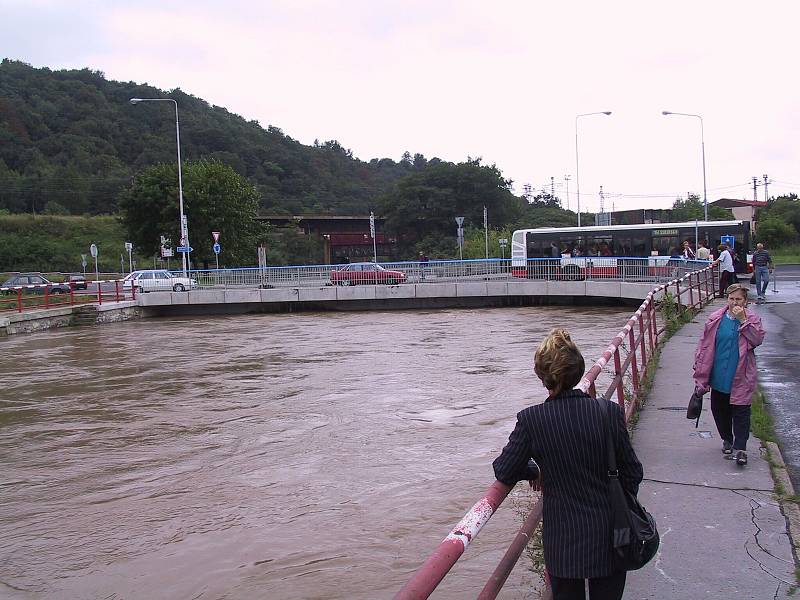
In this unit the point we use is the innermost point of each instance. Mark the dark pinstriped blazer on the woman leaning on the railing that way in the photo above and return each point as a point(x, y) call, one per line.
point(566, 436)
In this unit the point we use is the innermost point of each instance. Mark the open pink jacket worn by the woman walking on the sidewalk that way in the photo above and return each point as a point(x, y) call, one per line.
point(751, 334)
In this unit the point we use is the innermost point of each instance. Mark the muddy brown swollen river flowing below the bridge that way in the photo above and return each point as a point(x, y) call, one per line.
point(291, 456)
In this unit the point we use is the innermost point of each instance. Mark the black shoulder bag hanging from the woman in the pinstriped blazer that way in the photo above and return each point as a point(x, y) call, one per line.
point(634, 536)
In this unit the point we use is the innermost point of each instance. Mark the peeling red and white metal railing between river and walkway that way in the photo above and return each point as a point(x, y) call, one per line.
point(698, 287)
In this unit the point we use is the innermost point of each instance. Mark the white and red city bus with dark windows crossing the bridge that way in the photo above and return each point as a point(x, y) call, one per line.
point(574, 253)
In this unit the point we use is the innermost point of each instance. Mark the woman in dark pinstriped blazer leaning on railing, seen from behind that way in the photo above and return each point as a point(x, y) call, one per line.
point(566, 436)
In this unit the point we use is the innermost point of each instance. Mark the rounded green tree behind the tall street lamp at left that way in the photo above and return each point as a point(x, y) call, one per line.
point(215, 198)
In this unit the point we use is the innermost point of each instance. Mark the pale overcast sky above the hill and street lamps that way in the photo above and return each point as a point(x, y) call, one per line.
point(500, 80)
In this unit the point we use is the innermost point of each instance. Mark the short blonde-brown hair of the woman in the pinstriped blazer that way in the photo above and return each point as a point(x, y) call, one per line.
point(558, 362)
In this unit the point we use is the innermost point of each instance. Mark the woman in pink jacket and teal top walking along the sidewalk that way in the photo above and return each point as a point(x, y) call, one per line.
point(725, 363)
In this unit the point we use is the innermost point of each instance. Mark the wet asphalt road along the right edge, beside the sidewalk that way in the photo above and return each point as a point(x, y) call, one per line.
point(777, 362)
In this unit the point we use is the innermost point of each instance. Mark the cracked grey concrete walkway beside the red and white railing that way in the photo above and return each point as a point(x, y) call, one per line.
point(723, 533)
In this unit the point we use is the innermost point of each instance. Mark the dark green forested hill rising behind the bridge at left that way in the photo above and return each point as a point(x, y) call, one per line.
point(72, 140)
